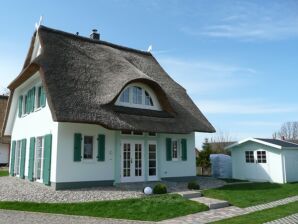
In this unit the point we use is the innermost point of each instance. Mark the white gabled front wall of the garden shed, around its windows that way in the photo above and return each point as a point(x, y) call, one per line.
point(271, 171)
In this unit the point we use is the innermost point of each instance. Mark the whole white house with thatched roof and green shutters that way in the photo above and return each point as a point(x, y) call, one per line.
point(98, 125)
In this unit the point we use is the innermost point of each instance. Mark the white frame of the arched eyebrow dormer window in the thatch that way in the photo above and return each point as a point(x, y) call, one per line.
point(156, 105)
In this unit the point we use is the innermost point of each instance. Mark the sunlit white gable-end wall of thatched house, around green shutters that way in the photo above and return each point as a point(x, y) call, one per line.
point(37, 123)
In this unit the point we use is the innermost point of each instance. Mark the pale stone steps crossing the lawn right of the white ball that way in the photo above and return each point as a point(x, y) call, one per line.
point(210, 202)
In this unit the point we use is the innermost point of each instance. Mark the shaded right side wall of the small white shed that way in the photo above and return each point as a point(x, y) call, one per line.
point(291, 164)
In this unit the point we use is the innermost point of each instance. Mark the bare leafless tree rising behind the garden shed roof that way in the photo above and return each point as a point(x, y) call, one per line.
point(288, 130)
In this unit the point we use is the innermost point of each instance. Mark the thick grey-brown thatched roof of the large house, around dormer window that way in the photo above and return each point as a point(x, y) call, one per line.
point(83, 78)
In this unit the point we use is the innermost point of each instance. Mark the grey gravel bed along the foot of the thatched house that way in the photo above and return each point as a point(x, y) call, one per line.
point(15, 189)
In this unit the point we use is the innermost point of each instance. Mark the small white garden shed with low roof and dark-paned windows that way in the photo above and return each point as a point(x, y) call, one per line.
point(259, 159)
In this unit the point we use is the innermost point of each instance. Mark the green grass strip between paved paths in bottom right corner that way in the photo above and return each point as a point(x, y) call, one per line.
point(263, 216)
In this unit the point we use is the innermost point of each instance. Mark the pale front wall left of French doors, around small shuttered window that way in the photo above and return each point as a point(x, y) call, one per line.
point(70, 171)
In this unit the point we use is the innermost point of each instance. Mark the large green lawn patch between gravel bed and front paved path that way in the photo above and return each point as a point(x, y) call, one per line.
point(153, 208)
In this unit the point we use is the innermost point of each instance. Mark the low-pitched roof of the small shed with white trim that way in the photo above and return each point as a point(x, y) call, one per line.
point(276, 143)
